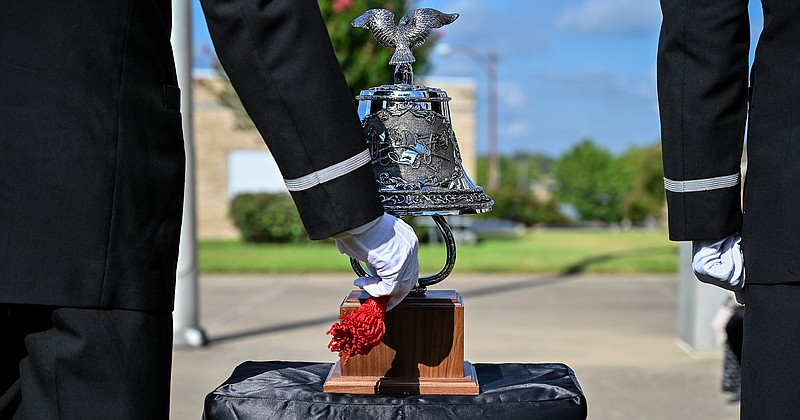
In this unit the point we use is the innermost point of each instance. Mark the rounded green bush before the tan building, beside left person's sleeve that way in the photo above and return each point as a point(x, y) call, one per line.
point(267, 217)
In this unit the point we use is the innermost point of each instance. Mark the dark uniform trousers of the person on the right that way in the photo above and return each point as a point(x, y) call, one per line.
point(771, 352)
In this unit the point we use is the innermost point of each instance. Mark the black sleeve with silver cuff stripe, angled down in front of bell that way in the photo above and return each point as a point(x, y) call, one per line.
point(280, 60)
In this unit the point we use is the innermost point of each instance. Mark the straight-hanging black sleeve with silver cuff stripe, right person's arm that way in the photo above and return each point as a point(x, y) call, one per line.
point(702, 93)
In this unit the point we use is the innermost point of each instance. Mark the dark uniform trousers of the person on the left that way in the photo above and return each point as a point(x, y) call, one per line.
point(71, 363)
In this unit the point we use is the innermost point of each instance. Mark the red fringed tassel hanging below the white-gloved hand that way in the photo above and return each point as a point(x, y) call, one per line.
point(360, 331)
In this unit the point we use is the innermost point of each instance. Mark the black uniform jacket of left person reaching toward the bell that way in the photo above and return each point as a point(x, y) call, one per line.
point(91, 150)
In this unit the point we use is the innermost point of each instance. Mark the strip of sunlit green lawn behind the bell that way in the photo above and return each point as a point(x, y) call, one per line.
point(547, 251)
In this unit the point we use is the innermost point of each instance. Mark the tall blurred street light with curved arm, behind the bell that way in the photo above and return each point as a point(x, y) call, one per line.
point(489, 62)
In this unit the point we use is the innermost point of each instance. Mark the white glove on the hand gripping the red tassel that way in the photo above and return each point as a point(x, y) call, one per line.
point(389, 248)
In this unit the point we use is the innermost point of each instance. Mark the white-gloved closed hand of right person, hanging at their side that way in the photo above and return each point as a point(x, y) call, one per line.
point(720, 263)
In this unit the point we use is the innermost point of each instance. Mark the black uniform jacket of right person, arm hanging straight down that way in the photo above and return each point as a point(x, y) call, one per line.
point(703, 98)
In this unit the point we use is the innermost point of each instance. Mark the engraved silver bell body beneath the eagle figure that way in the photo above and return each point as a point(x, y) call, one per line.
point(414, 152)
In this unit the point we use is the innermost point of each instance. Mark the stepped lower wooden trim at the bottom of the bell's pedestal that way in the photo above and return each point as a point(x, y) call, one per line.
point(380, 385)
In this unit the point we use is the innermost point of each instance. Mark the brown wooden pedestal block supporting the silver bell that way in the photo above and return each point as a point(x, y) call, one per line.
point(421, 353)
